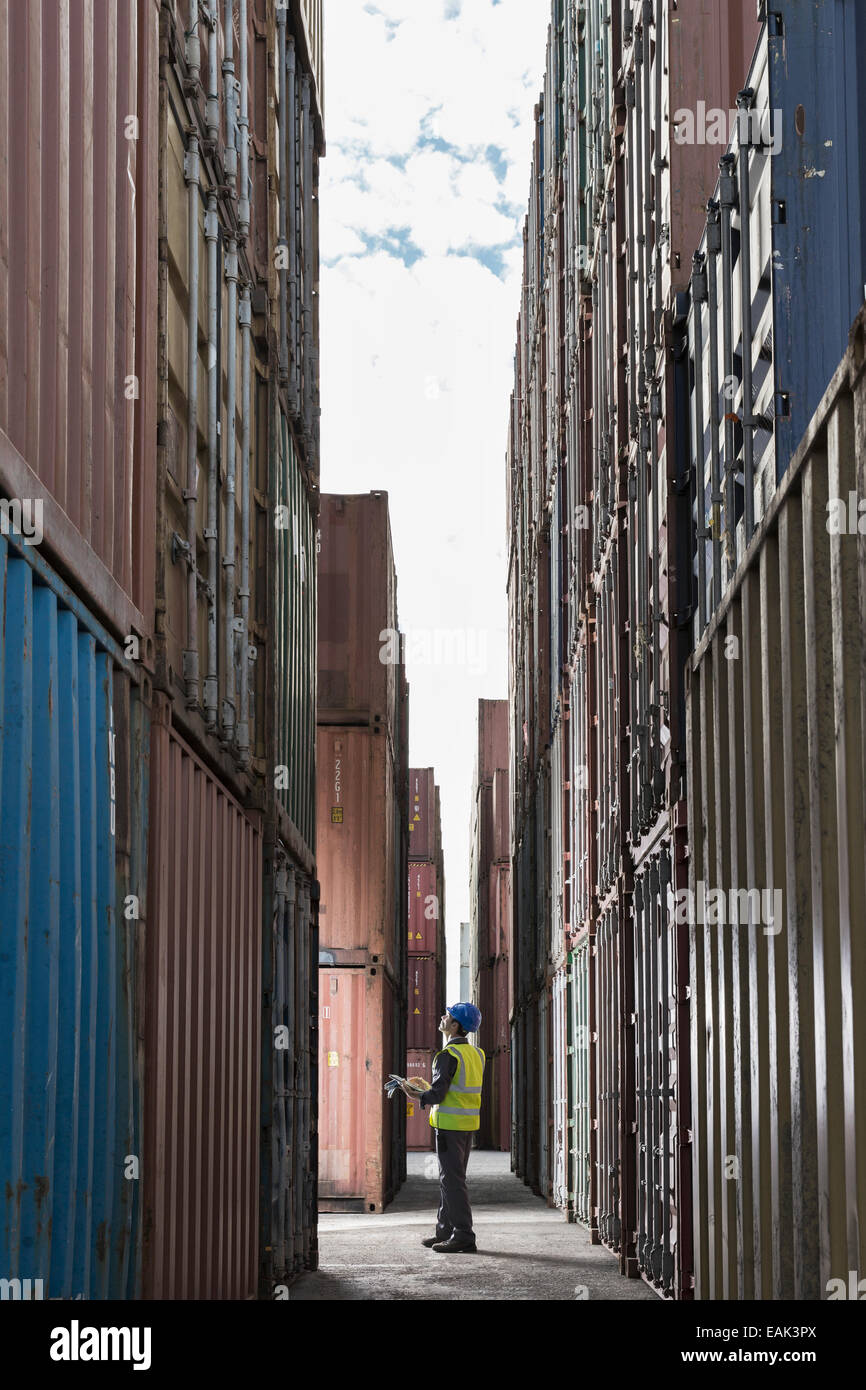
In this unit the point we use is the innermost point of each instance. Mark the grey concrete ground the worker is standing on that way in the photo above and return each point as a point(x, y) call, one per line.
point(526, 1250)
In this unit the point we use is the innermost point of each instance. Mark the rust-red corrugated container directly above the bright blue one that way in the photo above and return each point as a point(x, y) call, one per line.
point(79, 286)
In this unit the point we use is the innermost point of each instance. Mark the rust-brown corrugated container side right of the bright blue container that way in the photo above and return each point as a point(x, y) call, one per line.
point(202, 1032)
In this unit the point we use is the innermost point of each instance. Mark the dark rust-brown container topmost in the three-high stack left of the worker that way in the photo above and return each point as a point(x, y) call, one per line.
point(359, 643)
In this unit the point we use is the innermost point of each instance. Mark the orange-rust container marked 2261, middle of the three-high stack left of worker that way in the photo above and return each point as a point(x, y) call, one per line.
point(357, 844)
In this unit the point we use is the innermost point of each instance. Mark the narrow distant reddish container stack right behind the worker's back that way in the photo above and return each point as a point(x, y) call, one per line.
point(490, 970)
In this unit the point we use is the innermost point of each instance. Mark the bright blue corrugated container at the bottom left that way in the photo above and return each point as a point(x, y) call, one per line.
point(73, 783)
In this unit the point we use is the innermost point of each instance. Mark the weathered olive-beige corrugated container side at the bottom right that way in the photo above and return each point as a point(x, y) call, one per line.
point(776, 826)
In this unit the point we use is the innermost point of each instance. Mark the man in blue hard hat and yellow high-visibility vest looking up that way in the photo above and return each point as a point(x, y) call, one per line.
point(455, 1096)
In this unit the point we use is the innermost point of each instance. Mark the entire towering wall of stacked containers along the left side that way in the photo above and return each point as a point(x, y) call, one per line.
point(142, 408)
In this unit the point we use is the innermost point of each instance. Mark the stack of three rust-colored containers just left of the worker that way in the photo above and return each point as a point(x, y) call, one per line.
point(363, 842)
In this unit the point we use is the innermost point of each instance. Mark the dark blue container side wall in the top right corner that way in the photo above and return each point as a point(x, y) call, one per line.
point(818, 59)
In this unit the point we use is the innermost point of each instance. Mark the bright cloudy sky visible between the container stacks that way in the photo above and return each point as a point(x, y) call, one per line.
point(429, 123)
